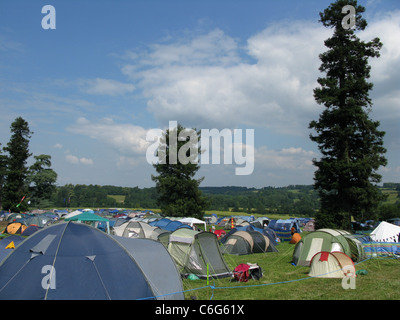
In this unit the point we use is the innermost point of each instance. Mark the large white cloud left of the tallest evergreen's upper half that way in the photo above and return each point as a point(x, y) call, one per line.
point(211, 87)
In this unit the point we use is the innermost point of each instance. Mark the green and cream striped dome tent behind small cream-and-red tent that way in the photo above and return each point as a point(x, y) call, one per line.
point(327, 240)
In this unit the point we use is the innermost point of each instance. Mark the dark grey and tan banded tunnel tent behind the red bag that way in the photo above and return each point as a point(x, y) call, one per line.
point(240, 242)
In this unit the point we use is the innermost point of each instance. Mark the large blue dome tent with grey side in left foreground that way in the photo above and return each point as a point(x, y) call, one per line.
point(76, 261)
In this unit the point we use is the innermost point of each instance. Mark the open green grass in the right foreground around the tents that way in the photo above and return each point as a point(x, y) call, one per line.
point(283, 281)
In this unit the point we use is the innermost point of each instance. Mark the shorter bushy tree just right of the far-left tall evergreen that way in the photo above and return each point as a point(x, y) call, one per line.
point(42, 179)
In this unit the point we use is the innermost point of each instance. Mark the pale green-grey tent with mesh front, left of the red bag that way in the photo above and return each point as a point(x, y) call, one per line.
point(193, 251)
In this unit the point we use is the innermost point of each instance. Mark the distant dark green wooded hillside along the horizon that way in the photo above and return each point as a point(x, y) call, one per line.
point(295, 200)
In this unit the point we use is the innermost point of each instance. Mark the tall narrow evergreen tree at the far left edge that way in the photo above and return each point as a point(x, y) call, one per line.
point(15, 187)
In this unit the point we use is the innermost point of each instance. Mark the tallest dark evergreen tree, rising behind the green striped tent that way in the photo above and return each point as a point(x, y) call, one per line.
point(350, 142)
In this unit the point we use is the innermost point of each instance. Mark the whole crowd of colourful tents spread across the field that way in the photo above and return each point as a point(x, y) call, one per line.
point(146, 256)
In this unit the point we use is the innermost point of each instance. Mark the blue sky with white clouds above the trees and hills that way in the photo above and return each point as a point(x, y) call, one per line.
point(112, 71)
